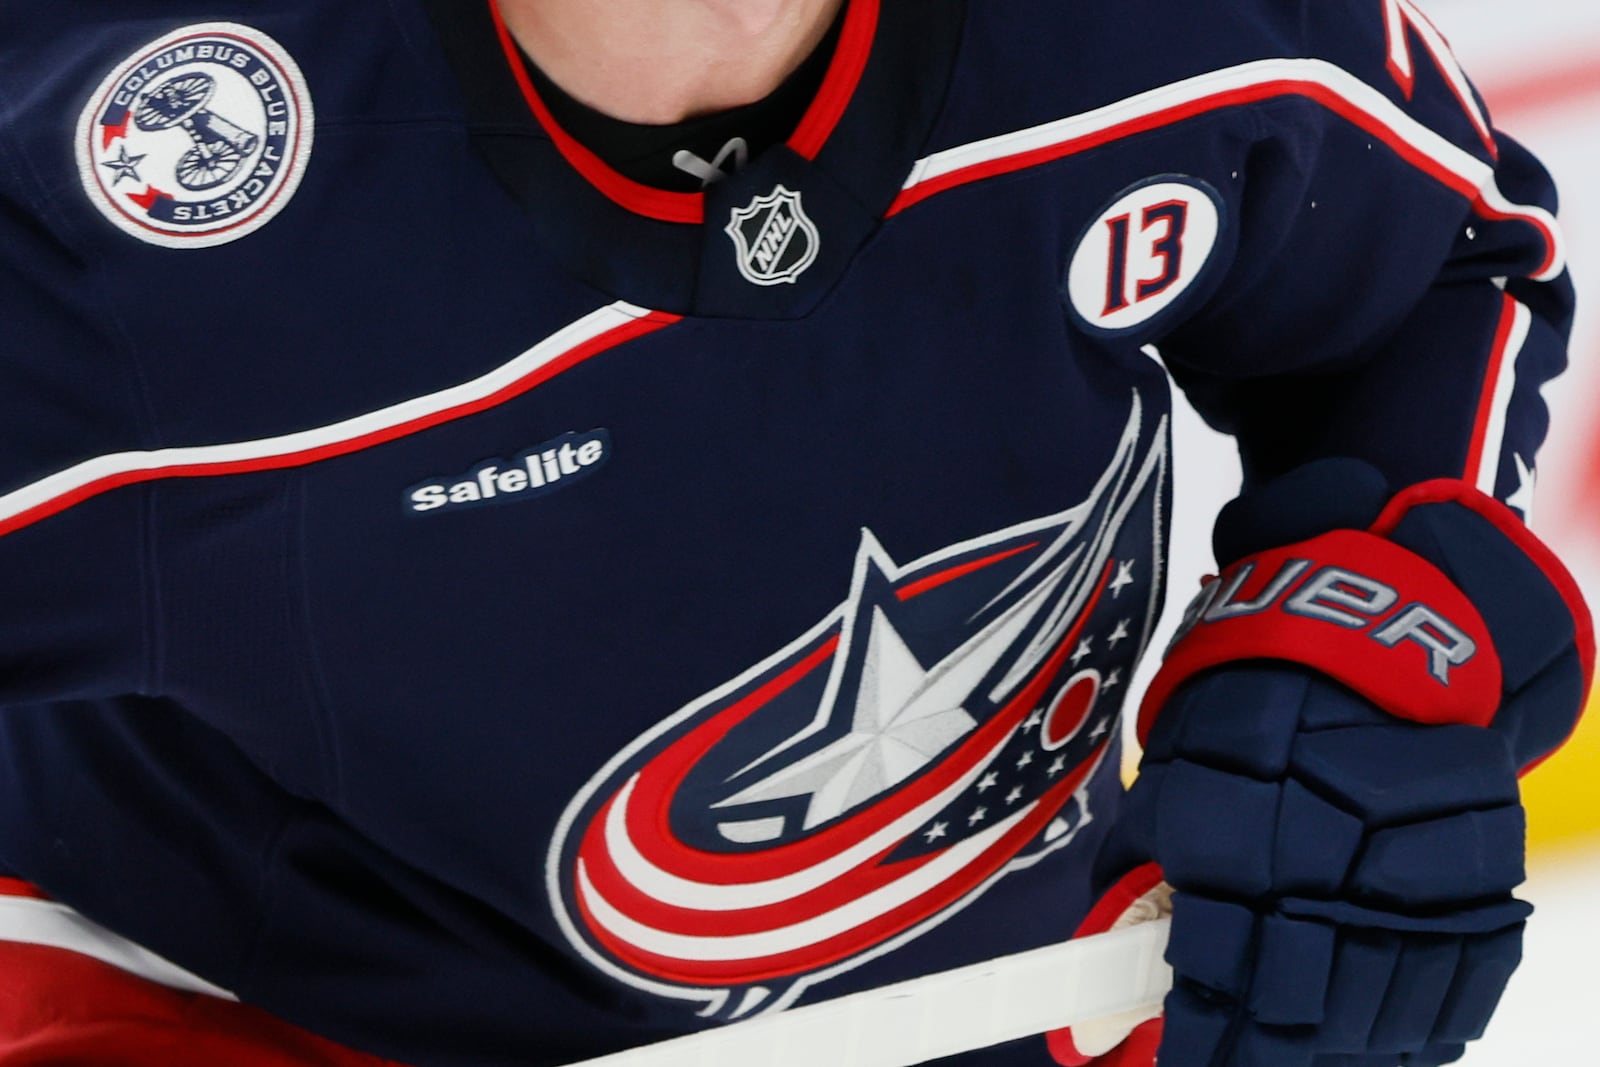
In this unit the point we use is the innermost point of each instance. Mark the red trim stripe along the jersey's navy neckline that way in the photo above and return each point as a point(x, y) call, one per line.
point(839, 87)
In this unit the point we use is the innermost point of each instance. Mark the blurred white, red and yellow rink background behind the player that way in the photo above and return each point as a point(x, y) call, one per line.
point(1538, 66)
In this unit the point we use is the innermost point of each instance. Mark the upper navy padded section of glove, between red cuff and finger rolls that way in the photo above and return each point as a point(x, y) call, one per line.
point(1327, 799)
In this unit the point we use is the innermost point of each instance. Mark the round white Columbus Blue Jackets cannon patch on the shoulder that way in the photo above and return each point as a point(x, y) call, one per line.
point(198, 138)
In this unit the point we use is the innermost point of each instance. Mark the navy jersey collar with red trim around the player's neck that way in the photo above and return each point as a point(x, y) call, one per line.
point(854, 150)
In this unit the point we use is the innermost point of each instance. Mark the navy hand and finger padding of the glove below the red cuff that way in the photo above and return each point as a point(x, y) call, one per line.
point(1345, 885)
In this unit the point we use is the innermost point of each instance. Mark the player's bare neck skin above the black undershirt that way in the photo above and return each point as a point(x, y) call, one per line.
point(663, 62)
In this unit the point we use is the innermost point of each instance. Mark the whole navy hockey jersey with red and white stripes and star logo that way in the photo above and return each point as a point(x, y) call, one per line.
point(490, 612)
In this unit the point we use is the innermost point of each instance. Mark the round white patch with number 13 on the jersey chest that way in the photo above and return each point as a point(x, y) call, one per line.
point(1143, 252)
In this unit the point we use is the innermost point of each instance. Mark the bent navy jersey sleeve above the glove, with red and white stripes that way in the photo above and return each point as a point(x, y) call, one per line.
point(1399, 290)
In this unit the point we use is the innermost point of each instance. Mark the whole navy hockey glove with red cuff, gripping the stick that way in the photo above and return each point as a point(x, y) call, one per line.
point(1330, 773)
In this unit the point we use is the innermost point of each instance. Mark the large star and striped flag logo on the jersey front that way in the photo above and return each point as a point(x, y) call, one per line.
point(852, 791)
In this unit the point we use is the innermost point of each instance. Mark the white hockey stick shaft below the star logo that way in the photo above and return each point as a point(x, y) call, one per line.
point(940, 1015)
